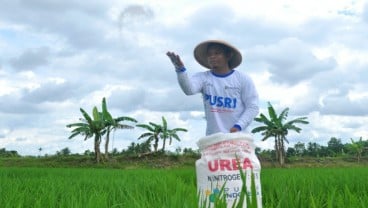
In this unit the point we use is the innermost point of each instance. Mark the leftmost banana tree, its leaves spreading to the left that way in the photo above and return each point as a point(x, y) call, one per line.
point(90, 127)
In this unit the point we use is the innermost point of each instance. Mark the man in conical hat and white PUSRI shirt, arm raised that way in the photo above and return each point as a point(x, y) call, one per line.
point(230, 97)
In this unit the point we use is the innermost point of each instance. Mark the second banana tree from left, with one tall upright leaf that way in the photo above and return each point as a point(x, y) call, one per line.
point(113, 124)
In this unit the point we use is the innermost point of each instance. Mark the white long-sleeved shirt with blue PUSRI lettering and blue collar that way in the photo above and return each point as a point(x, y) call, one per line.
point(228, 100)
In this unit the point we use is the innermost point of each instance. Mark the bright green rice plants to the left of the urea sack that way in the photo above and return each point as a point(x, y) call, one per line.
point(61, 187)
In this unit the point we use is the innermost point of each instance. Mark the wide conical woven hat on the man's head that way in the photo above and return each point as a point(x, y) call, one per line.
point(200, 53)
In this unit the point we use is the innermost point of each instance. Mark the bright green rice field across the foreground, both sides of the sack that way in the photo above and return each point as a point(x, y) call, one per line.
point(175, 188)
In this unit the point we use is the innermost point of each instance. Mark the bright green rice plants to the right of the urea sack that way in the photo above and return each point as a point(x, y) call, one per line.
point(316, 187)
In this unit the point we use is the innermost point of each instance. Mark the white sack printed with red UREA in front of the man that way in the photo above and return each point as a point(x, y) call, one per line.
point(218, 165)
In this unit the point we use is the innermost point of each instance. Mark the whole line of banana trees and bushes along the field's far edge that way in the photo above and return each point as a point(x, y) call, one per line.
point(101, 124)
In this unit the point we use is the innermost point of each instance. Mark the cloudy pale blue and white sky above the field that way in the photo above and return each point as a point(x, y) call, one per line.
point(58, 56)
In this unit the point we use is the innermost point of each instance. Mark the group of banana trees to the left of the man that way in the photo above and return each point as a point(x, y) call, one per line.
point(101, 124)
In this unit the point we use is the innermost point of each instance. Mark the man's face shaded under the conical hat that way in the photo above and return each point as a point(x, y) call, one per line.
point(216, 57)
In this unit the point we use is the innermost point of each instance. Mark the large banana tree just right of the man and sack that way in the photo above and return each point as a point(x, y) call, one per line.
point(274, 127)
